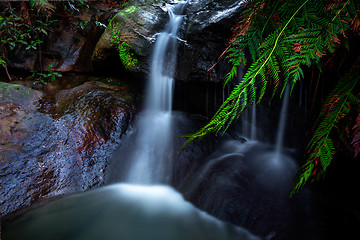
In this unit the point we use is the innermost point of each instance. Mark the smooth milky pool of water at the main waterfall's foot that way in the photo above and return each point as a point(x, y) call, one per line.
point(121, 211)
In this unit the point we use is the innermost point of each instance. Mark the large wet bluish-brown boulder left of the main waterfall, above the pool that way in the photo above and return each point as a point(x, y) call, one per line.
point(56, 144)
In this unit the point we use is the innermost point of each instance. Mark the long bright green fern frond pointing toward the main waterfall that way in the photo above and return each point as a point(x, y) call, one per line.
point(244, 93)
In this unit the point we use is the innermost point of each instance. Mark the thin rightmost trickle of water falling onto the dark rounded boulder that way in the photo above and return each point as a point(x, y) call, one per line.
point(282, 123)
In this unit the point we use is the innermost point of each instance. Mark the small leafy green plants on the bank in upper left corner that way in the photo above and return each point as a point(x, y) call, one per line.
point(25, 24)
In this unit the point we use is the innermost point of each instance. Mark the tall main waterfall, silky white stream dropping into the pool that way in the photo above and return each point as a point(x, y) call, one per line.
point(151, 160)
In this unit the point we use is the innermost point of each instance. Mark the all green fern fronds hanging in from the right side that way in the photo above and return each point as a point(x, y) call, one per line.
point(278, 41)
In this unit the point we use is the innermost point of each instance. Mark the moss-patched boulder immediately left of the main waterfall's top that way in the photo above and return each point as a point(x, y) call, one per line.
point(136, 25)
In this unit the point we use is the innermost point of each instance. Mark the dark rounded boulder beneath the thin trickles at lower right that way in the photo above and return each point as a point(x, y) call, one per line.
point(242, 183)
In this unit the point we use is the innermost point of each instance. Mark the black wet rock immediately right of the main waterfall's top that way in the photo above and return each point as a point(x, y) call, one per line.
point(207, 33)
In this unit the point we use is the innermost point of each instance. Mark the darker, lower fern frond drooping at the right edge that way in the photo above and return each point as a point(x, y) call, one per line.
point(321, 147)
